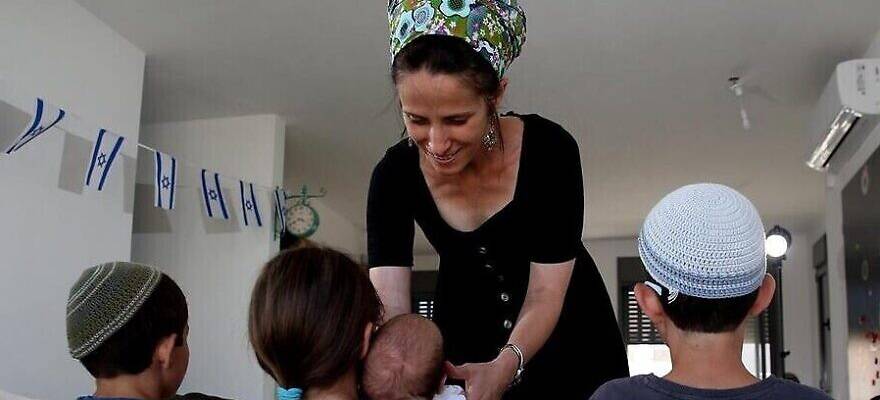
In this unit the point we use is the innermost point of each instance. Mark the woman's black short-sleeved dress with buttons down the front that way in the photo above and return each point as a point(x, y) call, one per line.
point(484, 273)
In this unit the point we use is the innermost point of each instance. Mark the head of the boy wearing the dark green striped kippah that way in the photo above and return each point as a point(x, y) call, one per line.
point(127, 325)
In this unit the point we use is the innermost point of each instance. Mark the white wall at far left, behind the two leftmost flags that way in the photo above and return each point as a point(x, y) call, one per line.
point(51, 231)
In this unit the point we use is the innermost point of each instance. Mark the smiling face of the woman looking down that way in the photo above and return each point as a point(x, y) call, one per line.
point(446, 118)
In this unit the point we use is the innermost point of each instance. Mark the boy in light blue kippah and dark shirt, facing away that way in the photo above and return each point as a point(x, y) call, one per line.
point(703, 248)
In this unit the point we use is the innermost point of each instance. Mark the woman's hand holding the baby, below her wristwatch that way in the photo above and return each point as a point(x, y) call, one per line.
point(486, 381)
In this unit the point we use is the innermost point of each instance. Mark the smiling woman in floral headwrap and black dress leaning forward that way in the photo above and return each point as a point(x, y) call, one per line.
point(500, 199)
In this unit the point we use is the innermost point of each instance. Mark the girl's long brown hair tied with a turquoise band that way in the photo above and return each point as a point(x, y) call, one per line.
point(308, 312)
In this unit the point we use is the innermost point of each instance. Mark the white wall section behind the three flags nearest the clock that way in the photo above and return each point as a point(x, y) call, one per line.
point(214, 261)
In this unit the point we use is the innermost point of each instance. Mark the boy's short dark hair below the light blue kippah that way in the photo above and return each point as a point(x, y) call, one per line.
point(694, 314)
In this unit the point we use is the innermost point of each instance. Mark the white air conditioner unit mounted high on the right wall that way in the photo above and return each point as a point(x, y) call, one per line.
point(849, 106)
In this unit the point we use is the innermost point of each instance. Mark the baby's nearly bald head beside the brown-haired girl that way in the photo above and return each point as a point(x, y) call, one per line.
point(405, 360)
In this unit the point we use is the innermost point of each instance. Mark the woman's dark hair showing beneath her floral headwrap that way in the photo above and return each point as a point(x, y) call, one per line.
point(440, 54)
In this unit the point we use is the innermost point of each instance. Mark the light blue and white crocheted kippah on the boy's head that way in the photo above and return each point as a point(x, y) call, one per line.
point(704, 240)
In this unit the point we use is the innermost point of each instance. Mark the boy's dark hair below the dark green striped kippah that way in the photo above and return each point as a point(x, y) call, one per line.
point(129, 351)
